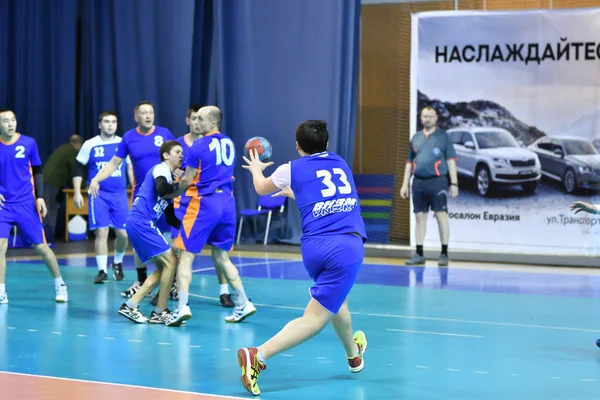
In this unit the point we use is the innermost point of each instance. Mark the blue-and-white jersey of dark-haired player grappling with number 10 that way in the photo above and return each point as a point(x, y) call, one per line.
point(148, 205)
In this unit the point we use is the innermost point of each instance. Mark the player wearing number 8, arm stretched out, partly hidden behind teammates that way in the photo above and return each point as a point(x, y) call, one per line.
point(142, 145)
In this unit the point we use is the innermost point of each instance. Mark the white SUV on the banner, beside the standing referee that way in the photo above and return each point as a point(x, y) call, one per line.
point(494, 158)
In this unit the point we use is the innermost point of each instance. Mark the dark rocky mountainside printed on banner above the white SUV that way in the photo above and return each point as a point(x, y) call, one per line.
point(478, 113)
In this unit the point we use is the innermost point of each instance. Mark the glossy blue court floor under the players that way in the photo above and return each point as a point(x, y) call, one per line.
point(465, 332)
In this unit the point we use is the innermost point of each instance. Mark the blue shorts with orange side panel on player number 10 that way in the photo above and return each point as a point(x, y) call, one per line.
point(208, 220)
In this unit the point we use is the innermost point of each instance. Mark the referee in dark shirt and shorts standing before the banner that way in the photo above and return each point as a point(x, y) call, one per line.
point(431, 158)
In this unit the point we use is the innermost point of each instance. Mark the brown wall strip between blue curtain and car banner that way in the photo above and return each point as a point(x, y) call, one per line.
point(384, 91)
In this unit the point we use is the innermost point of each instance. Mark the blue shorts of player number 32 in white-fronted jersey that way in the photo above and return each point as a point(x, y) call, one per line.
point(108, 210)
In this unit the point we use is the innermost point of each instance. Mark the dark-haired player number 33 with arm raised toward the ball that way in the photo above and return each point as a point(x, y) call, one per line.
point(333, 234)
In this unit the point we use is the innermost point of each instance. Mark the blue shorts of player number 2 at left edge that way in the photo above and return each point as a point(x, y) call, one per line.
point(28, 221)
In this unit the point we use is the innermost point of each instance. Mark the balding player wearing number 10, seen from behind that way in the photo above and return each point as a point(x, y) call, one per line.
point(209, 214)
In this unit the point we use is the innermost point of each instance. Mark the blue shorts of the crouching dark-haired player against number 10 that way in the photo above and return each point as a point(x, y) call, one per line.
point(146, 239)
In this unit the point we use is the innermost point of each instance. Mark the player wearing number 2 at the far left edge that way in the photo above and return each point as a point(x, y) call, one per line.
point(21, 200)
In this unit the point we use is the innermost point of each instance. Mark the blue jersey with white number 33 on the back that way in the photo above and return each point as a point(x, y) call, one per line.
point(326, 195)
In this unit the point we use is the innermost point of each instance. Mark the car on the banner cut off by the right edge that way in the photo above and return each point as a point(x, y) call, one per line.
point(570, 160)
